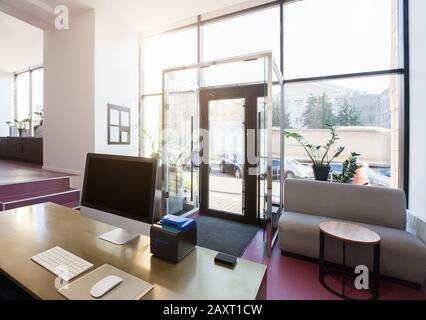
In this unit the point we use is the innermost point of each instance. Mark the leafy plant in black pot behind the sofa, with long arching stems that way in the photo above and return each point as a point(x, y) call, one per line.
point(319, 155)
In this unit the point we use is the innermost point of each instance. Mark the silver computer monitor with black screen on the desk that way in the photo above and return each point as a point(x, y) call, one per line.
point(120, 191)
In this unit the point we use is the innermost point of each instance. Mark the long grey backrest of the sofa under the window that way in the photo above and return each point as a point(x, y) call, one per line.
point(371, 205)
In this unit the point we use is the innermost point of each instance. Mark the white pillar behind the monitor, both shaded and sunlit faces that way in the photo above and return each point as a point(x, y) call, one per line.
point(94, 63)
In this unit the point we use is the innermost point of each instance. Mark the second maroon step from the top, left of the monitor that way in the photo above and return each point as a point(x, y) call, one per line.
point(61, 197)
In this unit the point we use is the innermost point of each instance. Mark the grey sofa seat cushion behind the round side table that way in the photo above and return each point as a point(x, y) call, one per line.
point(403, 256)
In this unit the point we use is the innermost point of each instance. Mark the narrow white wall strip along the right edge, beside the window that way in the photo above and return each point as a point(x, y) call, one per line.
point(417, 107)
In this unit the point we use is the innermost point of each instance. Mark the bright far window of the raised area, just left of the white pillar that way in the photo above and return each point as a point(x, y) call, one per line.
point(29, 96)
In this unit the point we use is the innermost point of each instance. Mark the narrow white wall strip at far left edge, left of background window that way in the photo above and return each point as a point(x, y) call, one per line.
point(6, 101)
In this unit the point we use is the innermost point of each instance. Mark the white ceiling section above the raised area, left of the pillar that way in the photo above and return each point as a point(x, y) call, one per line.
point(21, 44)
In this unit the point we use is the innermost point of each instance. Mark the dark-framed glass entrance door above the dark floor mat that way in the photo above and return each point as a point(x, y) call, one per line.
point(229, 171)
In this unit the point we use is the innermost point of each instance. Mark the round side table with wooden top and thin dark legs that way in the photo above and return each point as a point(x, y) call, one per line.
point(349, 233)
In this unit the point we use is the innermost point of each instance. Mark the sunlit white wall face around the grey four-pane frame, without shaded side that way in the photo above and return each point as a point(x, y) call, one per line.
point(116, 80)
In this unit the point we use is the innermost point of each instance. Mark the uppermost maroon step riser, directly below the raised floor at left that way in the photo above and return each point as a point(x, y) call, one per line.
point(26, 188)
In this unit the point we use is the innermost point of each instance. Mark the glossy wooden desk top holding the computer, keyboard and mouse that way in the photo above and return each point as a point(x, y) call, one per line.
point(28, 231)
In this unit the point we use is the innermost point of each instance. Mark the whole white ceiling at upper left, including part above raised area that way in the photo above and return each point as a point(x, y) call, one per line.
point(21, 41)
